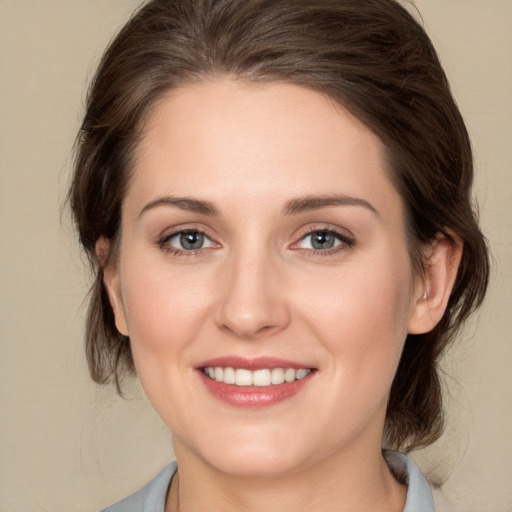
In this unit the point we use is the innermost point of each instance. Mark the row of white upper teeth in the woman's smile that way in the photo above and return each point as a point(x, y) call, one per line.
point(263, 377)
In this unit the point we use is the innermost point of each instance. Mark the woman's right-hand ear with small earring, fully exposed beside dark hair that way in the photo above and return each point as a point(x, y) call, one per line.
point(431, 294)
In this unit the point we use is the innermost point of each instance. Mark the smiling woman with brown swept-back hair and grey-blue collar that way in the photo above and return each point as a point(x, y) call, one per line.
point(276, 199)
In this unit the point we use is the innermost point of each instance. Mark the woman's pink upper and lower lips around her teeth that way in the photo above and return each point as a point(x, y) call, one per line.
point(253, 396)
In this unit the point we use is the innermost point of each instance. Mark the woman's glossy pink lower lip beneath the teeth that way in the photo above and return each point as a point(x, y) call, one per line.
point(254, 396)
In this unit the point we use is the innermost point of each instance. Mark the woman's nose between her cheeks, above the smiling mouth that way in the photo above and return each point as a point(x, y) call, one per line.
point(253, 300)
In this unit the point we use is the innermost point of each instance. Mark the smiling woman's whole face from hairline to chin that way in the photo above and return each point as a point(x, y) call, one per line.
point(262, 242)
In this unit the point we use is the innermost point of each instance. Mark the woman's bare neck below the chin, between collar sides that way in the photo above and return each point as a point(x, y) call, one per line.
point(344, 482)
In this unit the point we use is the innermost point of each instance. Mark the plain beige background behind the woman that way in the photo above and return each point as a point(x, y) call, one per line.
point(67, 446)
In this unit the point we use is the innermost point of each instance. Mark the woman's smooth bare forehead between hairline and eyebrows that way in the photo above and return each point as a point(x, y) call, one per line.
point(227, 138)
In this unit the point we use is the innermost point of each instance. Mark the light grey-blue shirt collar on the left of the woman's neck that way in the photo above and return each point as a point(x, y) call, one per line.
point(151, 498)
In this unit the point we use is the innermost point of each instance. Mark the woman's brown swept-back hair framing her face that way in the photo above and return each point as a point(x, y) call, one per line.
point(374, 59)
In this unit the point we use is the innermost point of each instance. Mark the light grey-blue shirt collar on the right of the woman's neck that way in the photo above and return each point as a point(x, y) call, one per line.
point(419, 496)
